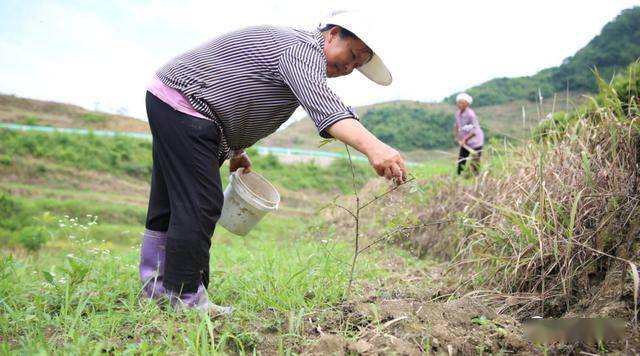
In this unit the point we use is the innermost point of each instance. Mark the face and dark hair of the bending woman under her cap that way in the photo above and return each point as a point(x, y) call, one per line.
point(343, 54)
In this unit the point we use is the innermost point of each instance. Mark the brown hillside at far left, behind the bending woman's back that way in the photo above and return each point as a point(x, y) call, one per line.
point(24, 111)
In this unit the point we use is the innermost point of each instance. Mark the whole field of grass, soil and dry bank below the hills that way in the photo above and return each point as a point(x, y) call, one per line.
point(445, 264)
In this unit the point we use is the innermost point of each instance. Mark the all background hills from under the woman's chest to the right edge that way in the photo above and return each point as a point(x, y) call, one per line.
point(506, 107)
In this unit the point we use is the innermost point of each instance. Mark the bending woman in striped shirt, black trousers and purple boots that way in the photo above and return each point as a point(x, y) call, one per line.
point(214, 101)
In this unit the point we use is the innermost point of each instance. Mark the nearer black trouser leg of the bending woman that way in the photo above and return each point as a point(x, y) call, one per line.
point(187, 150)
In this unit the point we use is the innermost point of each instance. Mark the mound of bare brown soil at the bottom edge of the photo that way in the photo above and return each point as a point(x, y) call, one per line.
point(412, 327)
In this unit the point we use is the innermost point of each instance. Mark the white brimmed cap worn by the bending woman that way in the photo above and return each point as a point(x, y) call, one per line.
point(355, 22)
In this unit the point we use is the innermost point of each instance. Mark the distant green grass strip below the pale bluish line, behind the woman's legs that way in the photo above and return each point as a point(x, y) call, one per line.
point(132, 158)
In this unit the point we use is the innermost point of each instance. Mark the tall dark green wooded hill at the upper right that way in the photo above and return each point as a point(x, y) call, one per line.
point(611, 51)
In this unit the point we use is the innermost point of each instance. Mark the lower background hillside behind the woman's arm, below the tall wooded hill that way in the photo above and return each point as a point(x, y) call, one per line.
point(504, 120)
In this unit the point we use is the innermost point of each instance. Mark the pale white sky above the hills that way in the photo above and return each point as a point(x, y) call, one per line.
point(102, 54)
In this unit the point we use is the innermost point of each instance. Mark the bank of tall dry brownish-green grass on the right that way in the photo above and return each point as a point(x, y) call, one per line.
point(556, 230)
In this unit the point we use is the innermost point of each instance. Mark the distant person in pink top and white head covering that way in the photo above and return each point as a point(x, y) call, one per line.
point(467, 134)
